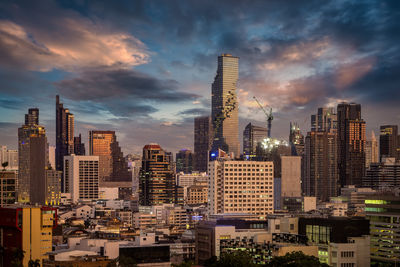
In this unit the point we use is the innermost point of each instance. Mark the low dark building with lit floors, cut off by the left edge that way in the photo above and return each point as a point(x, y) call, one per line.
point(8, 187)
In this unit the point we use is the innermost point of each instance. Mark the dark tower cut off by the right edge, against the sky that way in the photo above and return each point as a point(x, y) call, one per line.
point(388, 141)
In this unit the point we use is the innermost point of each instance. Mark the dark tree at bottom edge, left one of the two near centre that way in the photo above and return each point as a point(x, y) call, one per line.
point(233, 259)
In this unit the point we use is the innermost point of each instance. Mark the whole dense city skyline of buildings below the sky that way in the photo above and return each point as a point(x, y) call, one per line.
point(331, 194)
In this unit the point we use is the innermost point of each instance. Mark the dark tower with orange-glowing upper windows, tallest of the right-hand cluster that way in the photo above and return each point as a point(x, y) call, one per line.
point(351, 144)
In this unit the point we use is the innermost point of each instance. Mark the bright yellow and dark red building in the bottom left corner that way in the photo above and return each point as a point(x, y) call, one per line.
point(28, 229)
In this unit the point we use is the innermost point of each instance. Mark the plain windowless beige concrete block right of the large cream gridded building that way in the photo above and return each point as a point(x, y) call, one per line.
point(291, 176)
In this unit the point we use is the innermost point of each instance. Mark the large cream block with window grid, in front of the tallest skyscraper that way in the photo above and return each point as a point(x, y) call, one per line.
point(241, 187)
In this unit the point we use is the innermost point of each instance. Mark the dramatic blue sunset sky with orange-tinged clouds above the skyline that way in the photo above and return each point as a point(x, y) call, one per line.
point(145, 68)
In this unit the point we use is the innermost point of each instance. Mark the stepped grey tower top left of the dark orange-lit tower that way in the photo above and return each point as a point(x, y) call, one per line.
point(324, 121)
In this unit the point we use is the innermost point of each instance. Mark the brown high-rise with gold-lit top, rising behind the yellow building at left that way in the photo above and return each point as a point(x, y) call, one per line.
point(33, 162)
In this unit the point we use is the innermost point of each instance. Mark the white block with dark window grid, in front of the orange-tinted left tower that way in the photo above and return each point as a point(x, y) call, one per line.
point(81, 177)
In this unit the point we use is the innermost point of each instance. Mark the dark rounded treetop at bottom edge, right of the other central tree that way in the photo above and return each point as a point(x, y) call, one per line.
point(294, 259)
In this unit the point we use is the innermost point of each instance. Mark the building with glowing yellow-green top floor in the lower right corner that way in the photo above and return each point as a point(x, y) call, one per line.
point(383, 211)
